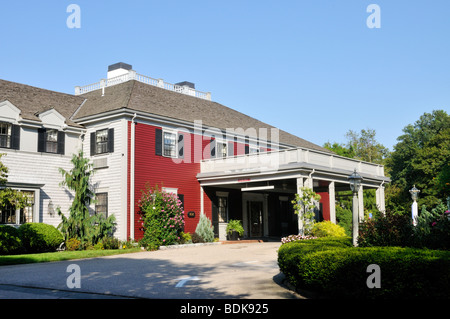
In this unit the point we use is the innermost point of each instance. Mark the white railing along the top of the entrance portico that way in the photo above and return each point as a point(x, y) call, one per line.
point(275, 160)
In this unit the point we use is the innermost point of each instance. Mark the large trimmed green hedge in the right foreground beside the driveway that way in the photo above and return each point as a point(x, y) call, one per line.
point(333, 268)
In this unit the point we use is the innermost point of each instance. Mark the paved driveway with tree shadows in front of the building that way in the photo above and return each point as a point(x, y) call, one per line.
point(212, 271)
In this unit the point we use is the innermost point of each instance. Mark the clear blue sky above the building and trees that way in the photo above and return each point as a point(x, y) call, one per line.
point(312, 68)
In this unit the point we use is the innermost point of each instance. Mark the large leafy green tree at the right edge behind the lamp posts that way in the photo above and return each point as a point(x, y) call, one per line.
point(421, 158)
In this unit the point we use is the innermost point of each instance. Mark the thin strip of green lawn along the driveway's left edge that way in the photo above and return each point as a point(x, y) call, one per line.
point(62, 255)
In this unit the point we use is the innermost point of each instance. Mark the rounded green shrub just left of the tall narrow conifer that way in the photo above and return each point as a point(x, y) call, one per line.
point(39, 237)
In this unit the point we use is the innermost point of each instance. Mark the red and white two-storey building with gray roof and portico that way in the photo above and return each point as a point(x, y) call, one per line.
point(140, 131)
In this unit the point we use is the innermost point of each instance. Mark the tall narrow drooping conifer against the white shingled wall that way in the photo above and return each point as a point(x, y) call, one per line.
point(80, 224)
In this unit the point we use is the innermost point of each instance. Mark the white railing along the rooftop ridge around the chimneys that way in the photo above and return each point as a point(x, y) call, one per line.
point(132, 75)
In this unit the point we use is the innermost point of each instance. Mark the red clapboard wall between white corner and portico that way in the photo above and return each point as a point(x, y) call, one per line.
point(152, 170)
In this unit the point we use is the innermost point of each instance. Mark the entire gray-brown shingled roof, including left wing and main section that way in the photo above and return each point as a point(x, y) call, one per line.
point(137, 96)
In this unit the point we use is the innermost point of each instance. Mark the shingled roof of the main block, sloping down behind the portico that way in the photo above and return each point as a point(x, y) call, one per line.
point(138, 96)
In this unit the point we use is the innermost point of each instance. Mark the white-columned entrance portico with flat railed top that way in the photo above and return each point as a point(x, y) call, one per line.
point(259, 188)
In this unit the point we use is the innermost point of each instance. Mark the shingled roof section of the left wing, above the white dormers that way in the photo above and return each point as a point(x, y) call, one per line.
point(32, 101)
